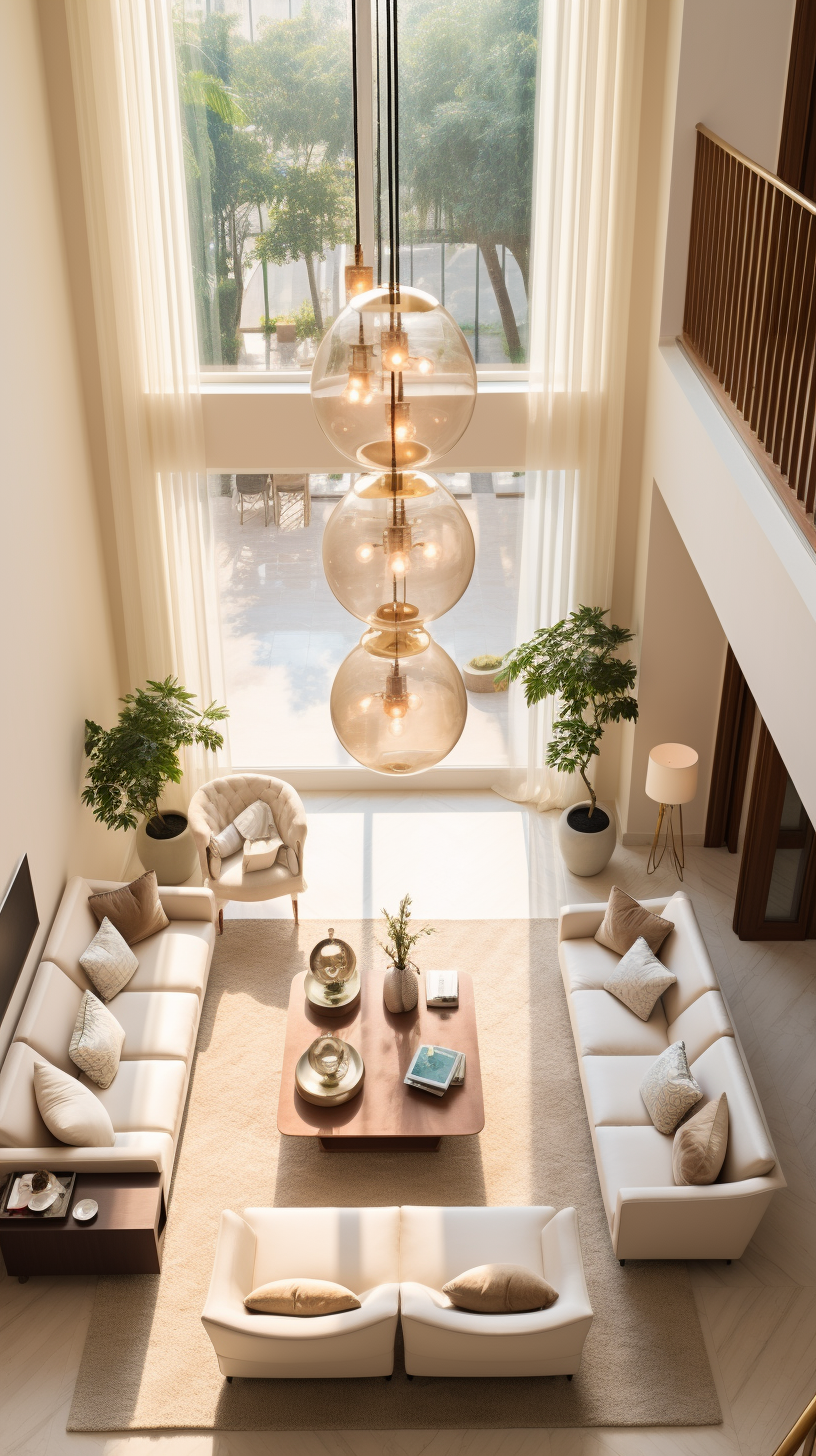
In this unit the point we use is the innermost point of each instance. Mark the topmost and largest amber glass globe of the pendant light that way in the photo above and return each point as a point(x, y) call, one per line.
point(419, 382)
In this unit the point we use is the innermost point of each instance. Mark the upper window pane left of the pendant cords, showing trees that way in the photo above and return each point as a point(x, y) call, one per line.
point(266, 101)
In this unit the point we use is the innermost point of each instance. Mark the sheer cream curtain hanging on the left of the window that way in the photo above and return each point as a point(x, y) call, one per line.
point(123, 69)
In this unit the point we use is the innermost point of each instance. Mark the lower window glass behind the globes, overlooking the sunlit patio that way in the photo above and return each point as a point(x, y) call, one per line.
point(285, 636)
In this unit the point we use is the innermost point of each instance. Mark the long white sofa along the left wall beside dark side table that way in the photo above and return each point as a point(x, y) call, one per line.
point(160, 1010)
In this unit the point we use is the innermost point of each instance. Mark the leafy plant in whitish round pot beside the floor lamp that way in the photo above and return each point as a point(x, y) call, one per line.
point(578, 662)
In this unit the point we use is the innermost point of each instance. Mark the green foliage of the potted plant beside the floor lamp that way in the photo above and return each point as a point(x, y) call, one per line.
point(576, 660)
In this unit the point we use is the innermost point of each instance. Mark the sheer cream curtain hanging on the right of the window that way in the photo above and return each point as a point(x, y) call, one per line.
point(582, 248)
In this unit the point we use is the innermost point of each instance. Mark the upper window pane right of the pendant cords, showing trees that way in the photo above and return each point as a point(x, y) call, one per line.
point(467, 103)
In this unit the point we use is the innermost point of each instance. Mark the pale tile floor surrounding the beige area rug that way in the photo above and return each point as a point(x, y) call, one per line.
point(466, 855)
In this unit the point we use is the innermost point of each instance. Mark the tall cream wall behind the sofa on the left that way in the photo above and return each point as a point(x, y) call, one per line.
point(58, 662)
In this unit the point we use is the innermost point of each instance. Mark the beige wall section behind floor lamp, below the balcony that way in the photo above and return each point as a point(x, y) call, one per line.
point(681, 673)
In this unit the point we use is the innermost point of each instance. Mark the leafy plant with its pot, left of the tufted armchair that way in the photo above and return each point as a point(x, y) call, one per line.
point(132, 764)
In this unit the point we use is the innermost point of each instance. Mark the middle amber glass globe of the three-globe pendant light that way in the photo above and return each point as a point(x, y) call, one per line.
point(399, 542)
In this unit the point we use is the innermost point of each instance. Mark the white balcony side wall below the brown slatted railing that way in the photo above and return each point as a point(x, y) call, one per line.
point(753, 561)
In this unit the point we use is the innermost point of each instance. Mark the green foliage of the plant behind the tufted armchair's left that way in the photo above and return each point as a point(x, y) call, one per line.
point(130, 764)
